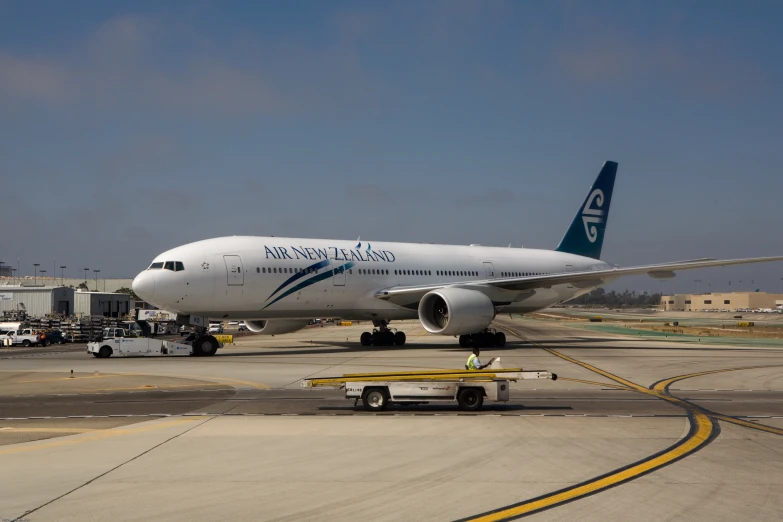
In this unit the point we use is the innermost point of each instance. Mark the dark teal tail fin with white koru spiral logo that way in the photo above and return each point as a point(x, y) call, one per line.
point(585, 236)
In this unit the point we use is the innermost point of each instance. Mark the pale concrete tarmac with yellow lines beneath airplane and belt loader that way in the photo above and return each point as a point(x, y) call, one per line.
point(634, 429)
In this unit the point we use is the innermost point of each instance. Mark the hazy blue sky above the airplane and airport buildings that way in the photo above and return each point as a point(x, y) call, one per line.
point(129, 128)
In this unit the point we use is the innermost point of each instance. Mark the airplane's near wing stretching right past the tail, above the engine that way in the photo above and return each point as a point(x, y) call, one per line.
point(406, 295)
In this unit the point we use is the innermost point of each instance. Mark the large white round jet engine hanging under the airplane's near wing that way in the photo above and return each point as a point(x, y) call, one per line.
point(455, 311)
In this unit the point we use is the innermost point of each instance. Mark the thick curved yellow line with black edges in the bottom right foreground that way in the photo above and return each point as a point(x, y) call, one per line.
point(704, 429)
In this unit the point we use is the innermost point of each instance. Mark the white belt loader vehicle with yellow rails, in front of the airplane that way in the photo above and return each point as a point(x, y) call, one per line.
point(469, 388)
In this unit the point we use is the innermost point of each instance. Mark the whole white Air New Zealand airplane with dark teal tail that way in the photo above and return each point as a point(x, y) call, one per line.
point(277, 284)
